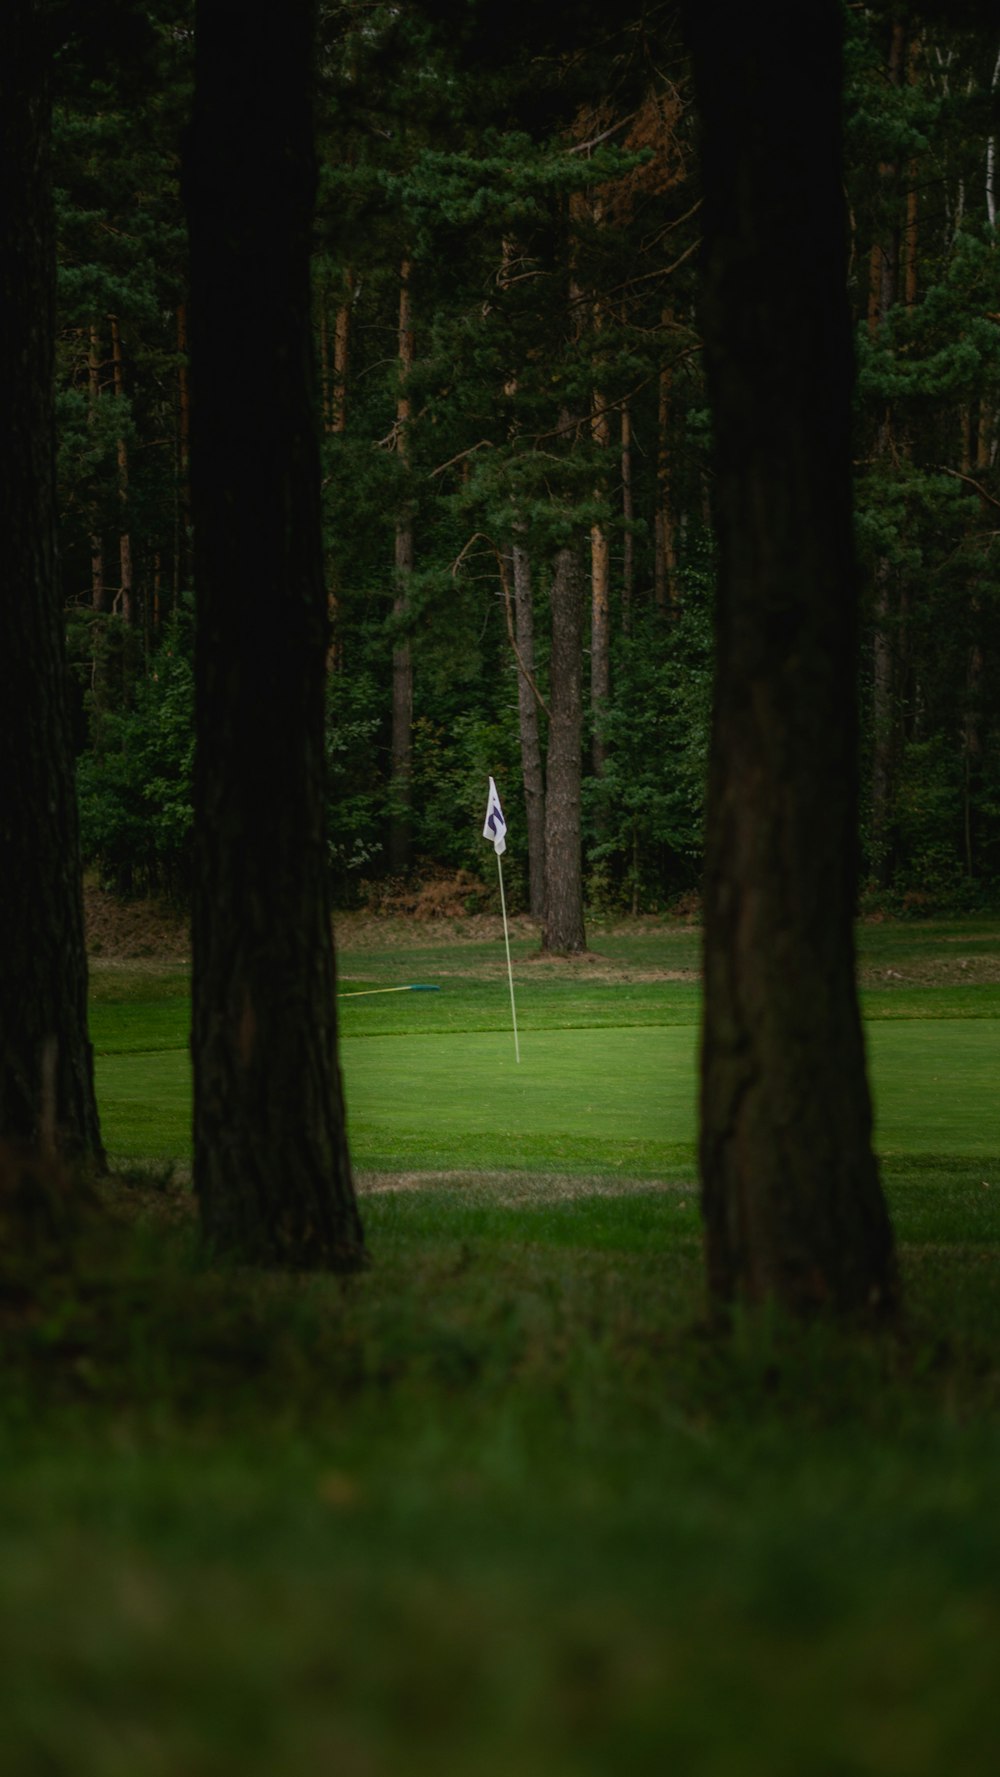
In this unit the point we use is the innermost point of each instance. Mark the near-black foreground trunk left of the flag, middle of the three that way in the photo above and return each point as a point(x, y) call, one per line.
point(273, 1168)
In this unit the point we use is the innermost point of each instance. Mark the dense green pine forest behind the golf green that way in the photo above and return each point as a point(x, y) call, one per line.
point(511, 392)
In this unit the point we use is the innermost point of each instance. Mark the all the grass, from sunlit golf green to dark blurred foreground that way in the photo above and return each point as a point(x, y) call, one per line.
point(500, 1506)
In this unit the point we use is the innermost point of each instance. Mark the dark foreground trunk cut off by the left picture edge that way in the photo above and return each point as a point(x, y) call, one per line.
point(44, 960)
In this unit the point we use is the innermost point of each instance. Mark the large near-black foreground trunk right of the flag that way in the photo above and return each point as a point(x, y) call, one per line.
point(790, 1188)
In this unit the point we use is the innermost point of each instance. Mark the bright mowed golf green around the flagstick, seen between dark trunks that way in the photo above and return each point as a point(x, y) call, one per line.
point(433, 1081)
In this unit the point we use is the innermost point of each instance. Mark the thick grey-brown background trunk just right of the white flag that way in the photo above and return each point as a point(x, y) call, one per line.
point(562, 928)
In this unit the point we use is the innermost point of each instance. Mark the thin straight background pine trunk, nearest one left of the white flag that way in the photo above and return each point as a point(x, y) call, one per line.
point(401, 825)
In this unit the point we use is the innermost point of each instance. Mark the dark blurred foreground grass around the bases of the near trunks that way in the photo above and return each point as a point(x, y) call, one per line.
point(498, 1504)
